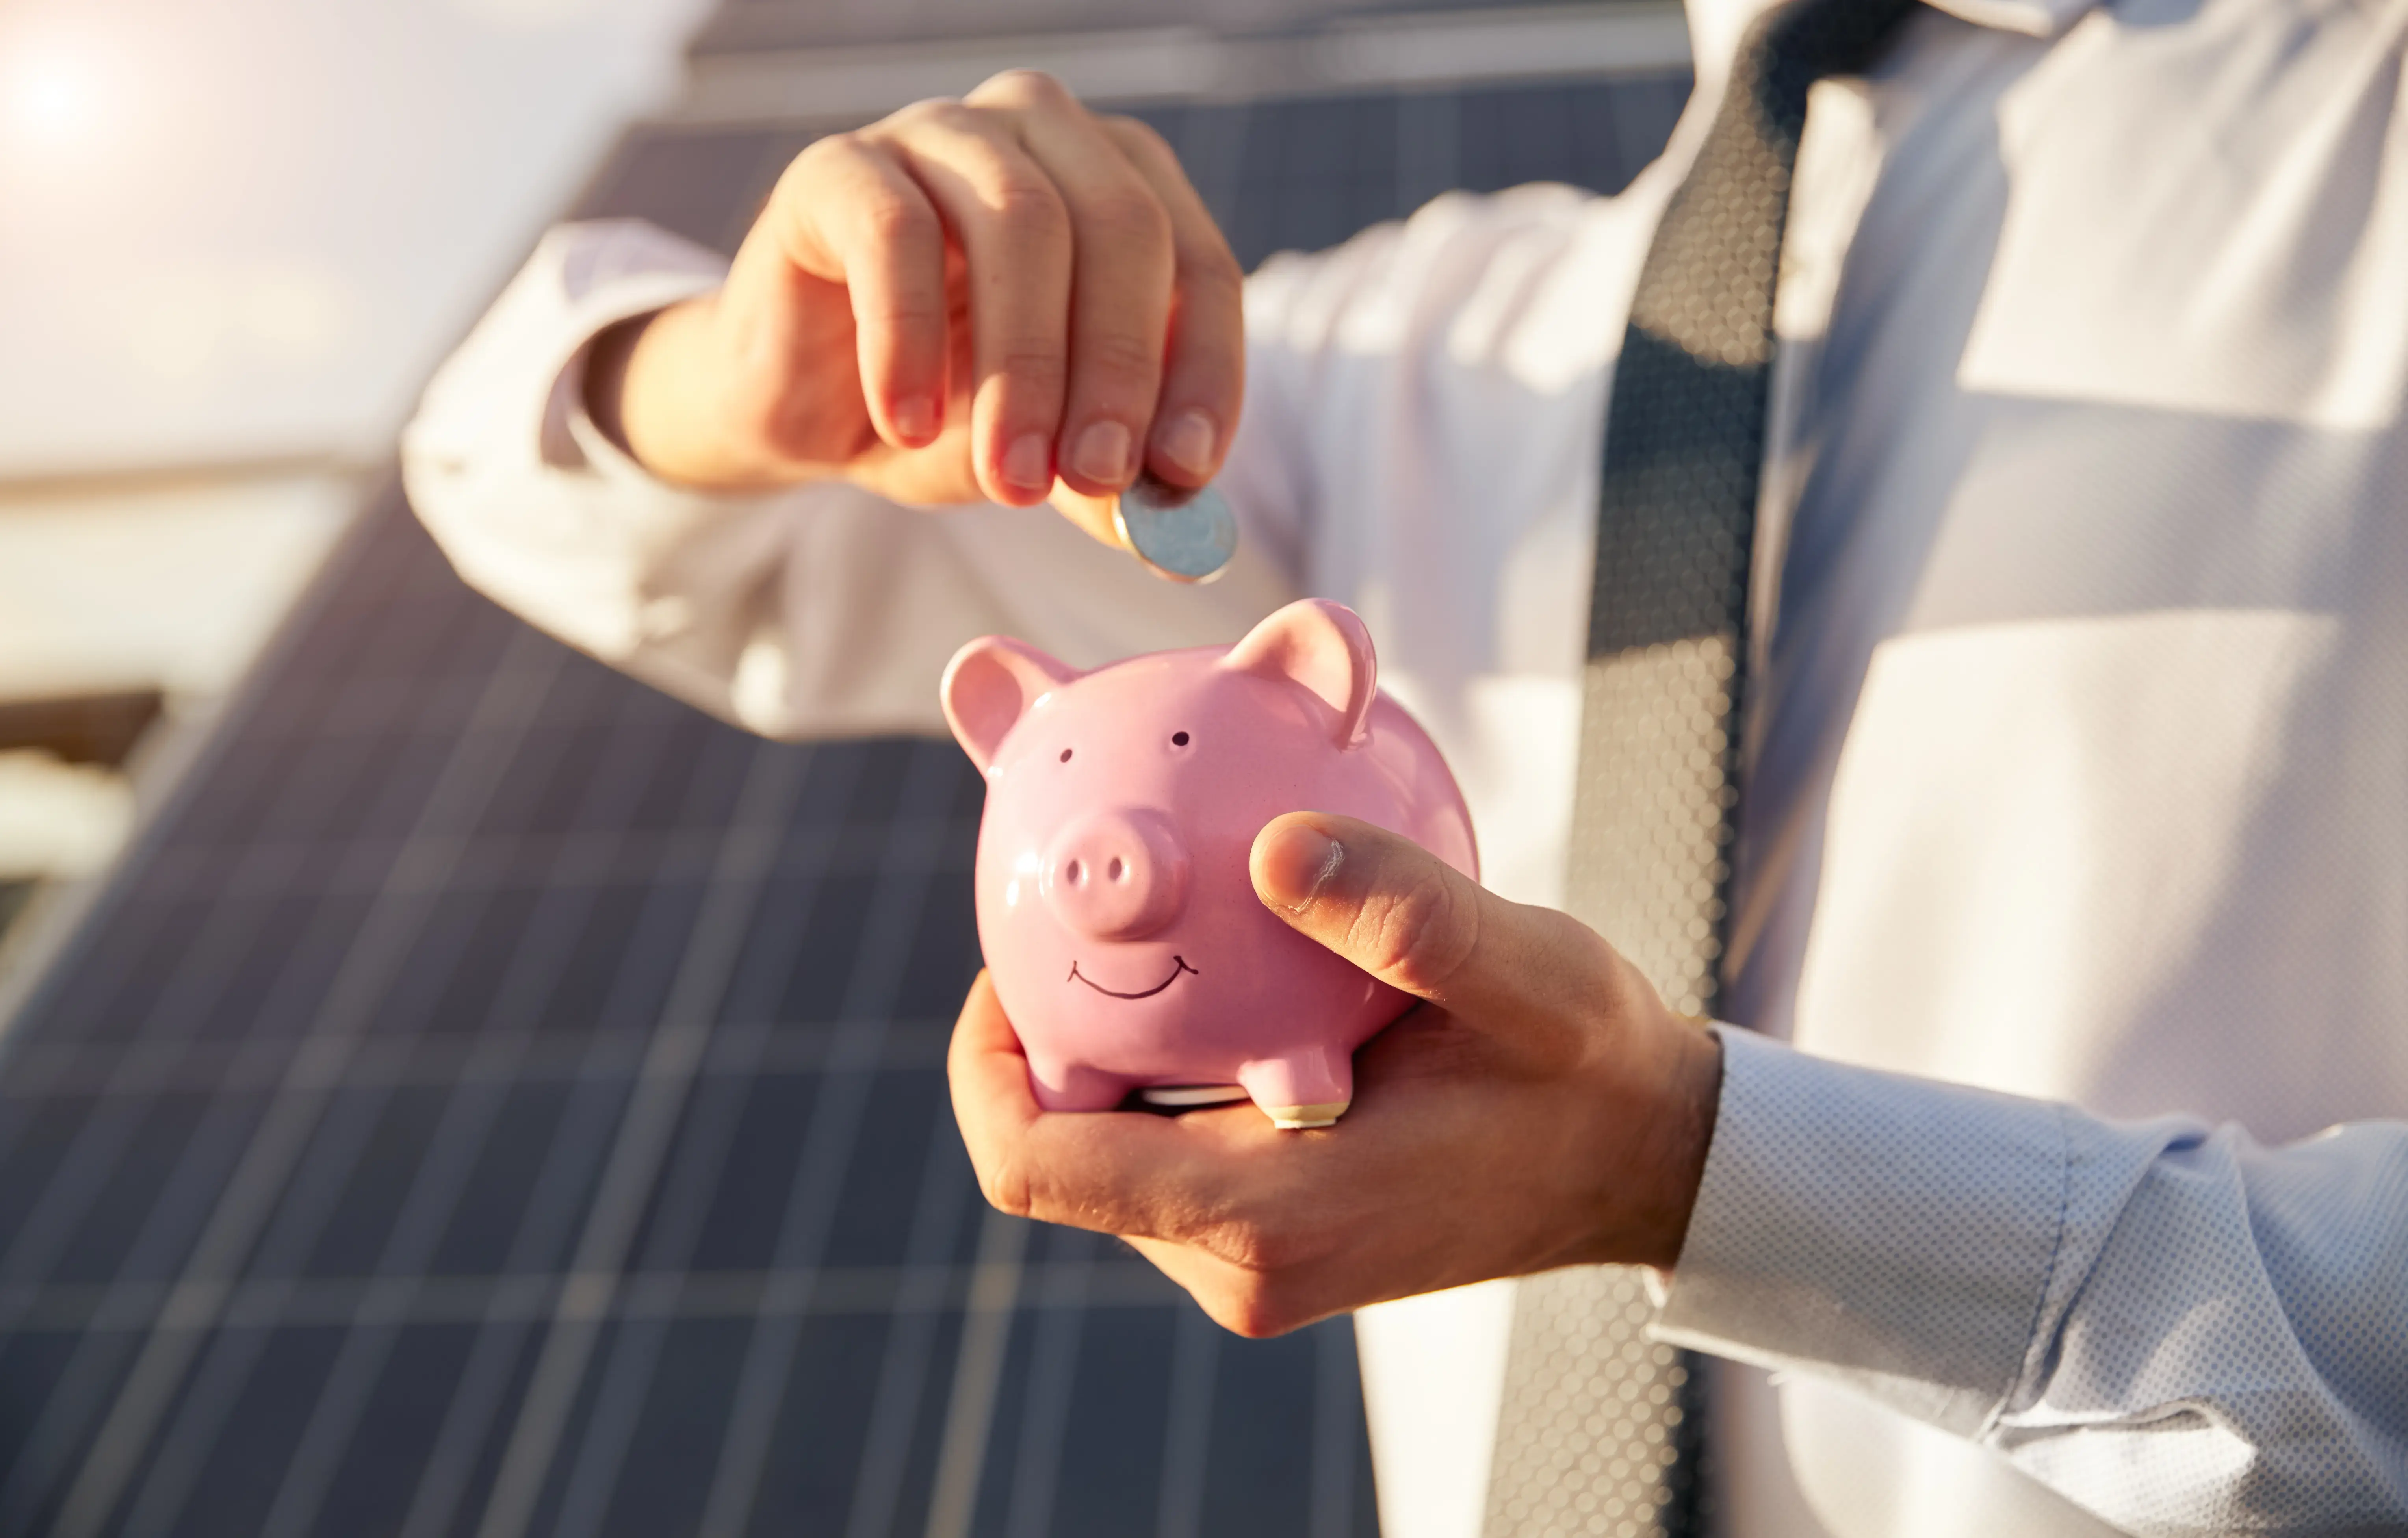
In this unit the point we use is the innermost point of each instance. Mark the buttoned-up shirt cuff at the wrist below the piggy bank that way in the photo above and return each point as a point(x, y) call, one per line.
point(1884, 1231)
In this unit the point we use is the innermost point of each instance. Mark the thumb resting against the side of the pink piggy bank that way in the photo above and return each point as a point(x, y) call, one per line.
point(1395, 911)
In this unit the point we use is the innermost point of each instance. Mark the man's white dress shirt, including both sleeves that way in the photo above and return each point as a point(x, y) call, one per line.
point(2077, 747)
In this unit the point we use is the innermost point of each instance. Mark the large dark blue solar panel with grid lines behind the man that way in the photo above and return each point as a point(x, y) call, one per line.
point(497, 1101)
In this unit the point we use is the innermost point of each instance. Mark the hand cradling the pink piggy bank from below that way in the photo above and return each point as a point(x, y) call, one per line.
point(1540, 1108)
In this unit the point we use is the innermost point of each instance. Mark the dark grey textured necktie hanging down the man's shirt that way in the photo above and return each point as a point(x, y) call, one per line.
point(1600, 1431)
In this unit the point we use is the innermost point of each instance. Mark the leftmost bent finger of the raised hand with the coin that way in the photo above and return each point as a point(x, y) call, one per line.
point(849, 213)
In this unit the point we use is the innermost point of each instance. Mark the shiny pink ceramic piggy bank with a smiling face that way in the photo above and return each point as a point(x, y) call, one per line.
point(1114, 894)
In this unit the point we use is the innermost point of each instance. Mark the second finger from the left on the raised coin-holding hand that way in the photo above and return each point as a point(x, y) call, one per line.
point(1013, 225)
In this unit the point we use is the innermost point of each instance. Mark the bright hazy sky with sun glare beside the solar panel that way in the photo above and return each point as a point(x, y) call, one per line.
point(252, 227)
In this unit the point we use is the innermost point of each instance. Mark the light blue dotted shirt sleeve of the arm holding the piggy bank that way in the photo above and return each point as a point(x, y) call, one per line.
point(2166, 1323)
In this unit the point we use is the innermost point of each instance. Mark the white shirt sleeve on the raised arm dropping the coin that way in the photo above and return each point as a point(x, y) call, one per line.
point(798, 615)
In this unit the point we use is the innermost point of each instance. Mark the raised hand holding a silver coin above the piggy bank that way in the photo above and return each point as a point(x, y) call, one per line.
point(960, 302)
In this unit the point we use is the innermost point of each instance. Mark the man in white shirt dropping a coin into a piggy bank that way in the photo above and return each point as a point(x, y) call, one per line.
point(2074, 752)
